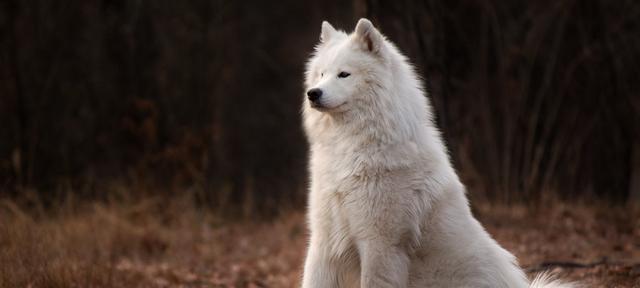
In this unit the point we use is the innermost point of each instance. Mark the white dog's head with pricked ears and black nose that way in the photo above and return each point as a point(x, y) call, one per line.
point(345, 69)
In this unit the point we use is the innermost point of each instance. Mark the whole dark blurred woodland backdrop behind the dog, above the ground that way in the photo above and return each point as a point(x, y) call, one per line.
point(536, 99)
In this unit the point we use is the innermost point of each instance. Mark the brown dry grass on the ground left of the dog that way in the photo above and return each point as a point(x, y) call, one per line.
point(148, 243)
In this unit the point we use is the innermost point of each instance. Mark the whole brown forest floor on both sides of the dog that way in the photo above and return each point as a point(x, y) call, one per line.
point(156, 243)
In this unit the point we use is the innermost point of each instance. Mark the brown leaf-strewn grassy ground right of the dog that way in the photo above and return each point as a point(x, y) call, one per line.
point(604, 240)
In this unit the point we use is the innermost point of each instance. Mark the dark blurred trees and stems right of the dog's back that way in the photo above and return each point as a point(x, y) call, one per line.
point(534, 97)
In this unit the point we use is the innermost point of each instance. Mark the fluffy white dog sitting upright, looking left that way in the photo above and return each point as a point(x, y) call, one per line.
point(386, 208)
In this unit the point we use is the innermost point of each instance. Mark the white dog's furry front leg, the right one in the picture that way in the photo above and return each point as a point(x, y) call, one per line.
point(383, 265)
